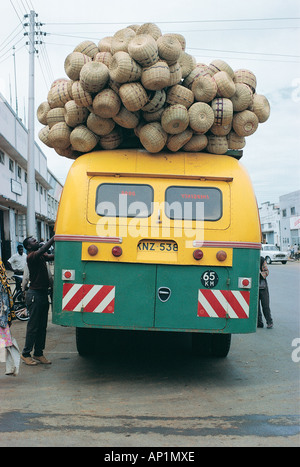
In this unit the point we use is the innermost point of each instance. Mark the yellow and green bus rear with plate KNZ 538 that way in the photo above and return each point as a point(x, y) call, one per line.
point(165, 242)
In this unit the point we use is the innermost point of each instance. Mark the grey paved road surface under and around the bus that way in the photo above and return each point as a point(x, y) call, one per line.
point(150, 391)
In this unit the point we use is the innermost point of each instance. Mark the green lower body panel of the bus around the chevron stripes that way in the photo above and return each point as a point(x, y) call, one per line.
point(137, 305)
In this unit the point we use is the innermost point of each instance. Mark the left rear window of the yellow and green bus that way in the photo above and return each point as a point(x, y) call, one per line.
point(122, 200)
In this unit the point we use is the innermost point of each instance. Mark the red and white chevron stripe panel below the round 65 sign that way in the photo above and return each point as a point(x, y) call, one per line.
point(222, 303)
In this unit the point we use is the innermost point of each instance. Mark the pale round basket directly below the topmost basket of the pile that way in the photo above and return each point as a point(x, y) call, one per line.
point(143, 49)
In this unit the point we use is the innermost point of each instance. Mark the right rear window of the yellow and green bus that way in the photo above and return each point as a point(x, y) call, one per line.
point(193, 203)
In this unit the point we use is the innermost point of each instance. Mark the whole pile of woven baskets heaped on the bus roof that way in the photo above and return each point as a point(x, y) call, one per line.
point(140, 88)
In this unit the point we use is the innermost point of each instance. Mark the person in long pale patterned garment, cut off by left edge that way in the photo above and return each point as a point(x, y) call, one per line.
point(9, 351)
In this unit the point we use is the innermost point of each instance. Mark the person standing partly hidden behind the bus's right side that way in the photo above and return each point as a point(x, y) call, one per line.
point(264, 298)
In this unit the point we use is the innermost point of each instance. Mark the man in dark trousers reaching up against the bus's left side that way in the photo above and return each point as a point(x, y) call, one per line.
point(37, 300)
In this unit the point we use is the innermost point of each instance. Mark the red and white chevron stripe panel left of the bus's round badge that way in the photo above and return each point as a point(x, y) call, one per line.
point(88, 298)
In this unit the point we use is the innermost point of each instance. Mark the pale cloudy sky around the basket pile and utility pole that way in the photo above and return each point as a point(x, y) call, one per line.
point(262, 36)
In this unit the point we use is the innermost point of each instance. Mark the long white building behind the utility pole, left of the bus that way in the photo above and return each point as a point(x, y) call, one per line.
point(13, 185)
